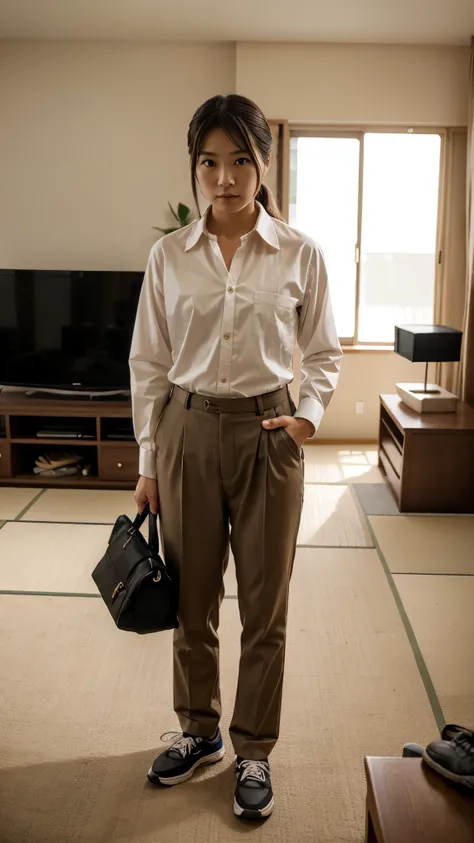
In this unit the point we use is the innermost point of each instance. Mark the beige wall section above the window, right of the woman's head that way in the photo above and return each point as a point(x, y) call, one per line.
point(334, 83)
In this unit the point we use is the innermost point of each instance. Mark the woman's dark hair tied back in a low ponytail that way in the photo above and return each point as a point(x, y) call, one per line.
point(245, 124)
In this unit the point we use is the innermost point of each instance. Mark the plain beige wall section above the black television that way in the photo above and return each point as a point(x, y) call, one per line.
point(93, 144)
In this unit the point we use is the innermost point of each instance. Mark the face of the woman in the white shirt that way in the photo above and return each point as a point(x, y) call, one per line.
point(226, 174)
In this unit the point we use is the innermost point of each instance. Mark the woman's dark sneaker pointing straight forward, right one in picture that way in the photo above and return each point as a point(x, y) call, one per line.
point(253, 794)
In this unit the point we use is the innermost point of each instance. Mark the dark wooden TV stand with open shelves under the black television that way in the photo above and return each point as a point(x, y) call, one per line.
point(114, 461)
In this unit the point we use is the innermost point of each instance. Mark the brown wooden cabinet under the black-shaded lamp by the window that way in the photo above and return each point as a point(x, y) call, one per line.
point(428, 458)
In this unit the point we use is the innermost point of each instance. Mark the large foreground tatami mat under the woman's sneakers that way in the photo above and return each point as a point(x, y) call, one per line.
point(84, 707)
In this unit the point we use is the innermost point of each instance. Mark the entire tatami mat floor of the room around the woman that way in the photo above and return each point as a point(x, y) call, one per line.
point(83, 706)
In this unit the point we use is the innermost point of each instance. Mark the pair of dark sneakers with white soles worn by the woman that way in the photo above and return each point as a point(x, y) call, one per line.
point(253, 797)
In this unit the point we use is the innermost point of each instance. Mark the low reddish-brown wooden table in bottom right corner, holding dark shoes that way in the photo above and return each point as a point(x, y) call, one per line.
point(407, 802)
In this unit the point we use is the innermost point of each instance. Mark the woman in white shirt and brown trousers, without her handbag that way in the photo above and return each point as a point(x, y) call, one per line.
point(223, 302)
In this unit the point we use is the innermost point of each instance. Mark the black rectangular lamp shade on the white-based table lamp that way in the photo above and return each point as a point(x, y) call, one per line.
point(428, 343)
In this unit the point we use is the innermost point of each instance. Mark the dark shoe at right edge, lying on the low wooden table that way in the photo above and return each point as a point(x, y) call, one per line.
point(453, 759)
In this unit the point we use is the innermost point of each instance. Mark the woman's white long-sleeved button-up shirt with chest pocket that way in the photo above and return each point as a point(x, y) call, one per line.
point(231, 333)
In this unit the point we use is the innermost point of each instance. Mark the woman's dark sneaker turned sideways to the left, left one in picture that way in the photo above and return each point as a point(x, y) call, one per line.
point(179, 763)
